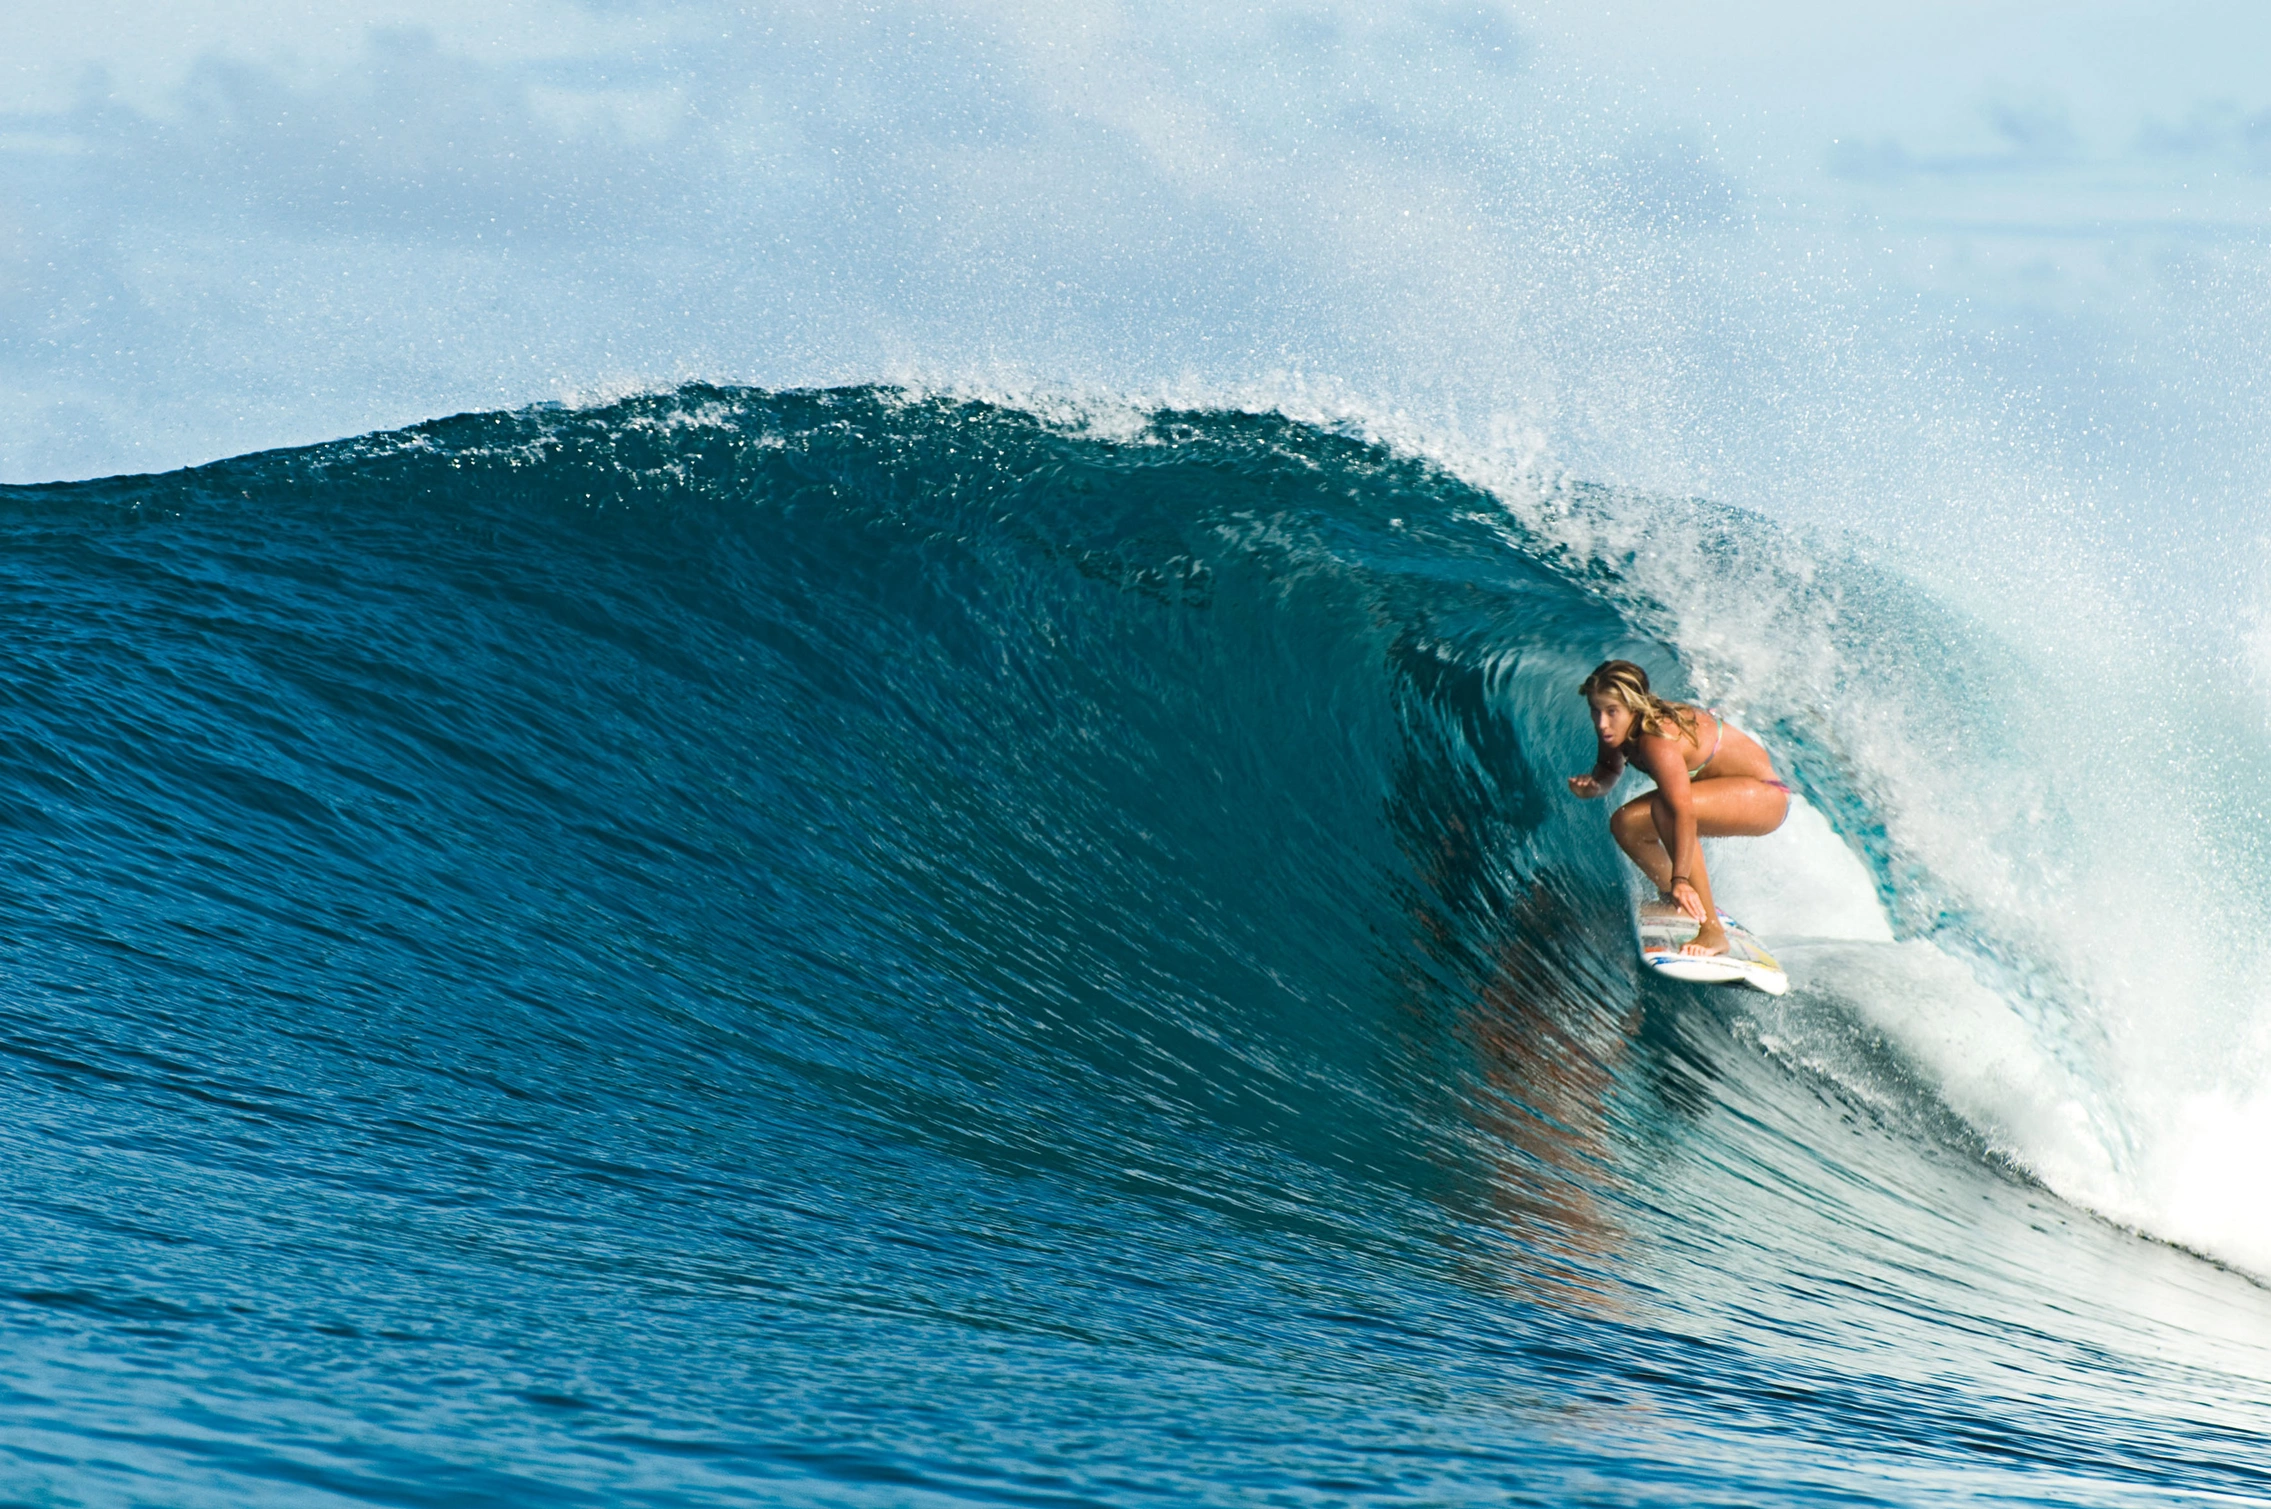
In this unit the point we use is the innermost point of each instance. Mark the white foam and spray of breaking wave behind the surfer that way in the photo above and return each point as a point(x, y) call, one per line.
point(2065, 837)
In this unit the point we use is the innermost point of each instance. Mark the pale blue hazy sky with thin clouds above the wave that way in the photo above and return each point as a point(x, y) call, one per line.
point(1784, 256)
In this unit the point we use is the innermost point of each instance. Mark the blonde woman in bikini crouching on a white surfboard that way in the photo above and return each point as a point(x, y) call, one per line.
point(1711, 783)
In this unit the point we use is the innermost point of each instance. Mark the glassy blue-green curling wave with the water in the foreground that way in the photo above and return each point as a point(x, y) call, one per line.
point(850, 947)
